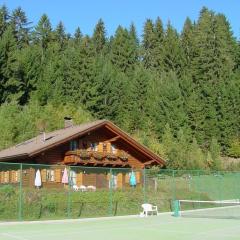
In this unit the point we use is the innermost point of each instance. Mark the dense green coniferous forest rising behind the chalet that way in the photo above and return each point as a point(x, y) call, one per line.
point(176, 92)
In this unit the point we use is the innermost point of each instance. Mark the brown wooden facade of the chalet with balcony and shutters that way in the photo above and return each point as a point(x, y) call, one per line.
point(100, 148)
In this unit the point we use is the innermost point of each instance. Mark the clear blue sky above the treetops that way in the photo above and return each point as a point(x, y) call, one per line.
point(85, 14)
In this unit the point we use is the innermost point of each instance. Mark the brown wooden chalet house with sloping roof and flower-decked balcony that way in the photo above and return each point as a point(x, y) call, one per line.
point(99, 144)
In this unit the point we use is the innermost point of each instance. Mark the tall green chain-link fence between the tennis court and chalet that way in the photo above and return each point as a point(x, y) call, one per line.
point(97, 192)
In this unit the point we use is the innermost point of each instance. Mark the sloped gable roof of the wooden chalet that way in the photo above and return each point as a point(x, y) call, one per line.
point(37, 145)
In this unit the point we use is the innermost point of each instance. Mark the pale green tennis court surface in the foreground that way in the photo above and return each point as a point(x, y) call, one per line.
point(153, 227)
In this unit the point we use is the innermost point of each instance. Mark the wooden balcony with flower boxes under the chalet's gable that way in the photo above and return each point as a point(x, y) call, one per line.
point(91, 157)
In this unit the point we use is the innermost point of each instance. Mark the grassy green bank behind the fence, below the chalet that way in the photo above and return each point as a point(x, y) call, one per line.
point(60, 204)
